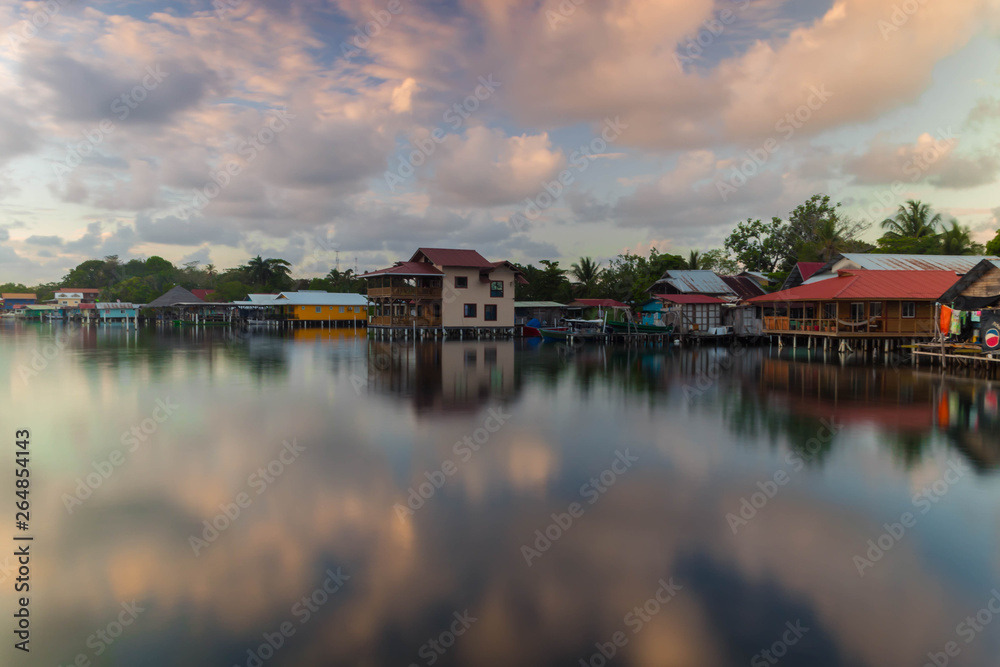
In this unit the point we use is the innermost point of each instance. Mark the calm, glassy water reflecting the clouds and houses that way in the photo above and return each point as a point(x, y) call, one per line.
point(495, 503)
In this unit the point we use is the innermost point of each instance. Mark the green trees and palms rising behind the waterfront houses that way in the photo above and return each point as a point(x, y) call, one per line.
point(814, 231)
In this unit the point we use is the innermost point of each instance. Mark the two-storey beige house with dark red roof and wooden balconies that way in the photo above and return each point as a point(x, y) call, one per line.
point(444, 288)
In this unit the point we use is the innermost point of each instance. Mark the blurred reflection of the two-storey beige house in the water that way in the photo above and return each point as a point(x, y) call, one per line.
point(442, 377)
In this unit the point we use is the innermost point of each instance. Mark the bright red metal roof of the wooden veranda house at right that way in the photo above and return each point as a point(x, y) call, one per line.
point(862, 284)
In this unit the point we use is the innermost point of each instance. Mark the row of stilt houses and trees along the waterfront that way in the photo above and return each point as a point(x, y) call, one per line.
point(940, 306)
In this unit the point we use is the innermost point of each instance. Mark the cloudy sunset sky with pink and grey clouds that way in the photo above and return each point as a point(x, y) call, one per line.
point(359, 130)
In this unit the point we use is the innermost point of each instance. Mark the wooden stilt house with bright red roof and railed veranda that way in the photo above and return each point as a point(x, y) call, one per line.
point(859, 304)
